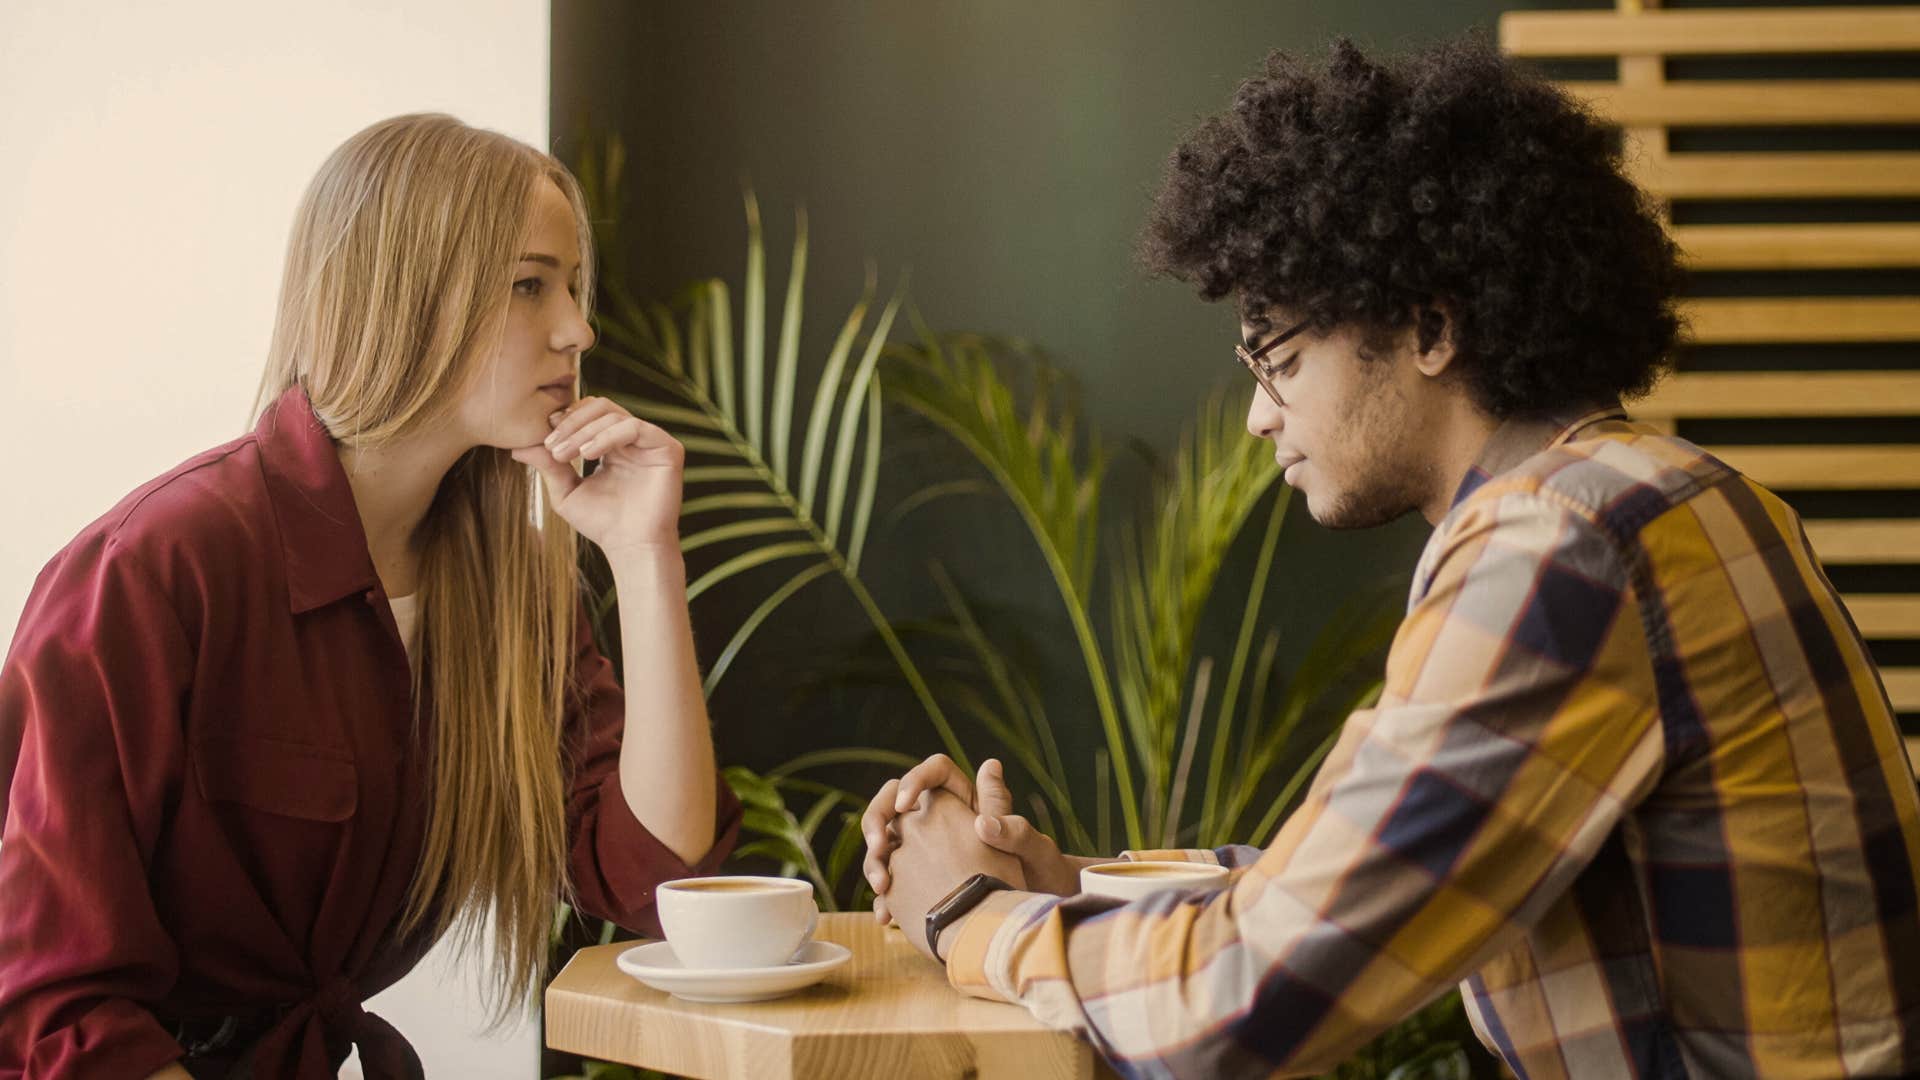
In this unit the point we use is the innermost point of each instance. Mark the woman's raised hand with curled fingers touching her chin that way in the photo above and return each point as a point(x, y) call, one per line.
point(631, 504)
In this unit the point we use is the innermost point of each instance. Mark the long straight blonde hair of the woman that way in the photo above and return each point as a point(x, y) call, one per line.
point(398, 276)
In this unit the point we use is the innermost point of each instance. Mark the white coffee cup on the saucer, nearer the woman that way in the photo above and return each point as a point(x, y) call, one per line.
point(736, 921)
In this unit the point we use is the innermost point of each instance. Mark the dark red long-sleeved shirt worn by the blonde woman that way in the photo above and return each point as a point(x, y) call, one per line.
point(218, 793)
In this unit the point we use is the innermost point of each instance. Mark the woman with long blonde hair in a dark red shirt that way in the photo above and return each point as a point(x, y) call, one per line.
point(318, 697)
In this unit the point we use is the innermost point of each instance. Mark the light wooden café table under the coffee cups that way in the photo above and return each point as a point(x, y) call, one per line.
point(888, 1014)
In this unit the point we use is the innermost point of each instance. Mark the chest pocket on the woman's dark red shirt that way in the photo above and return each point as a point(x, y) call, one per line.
point(277, 777)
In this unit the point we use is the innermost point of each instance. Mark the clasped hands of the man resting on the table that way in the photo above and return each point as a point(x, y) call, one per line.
point(934, 829)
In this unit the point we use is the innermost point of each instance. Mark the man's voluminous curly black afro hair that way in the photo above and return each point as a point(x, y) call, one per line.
point(1364, 193)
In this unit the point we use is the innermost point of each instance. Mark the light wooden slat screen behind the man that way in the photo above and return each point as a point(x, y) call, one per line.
point(1802, 362)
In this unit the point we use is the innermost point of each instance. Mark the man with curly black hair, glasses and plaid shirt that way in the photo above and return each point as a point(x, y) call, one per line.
point(1633, 779)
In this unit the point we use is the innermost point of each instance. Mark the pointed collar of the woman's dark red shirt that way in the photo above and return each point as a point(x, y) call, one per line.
point(314, 506)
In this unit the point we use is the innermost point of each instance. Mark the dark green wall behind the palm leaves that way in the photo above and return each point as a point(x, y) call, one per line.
point(1005, 155)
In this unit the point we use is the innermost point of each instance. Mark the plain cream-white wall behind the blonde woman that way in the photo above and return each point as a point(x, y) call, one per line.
point(151, 159)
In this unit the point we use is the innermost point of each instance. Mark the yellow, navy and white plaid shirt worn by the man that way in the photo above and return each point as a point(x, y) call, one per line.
point(1635, 783)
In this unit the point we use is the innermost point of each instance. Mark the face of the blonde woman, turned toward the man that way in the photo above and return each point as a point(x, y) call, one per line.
point(539, 362)
